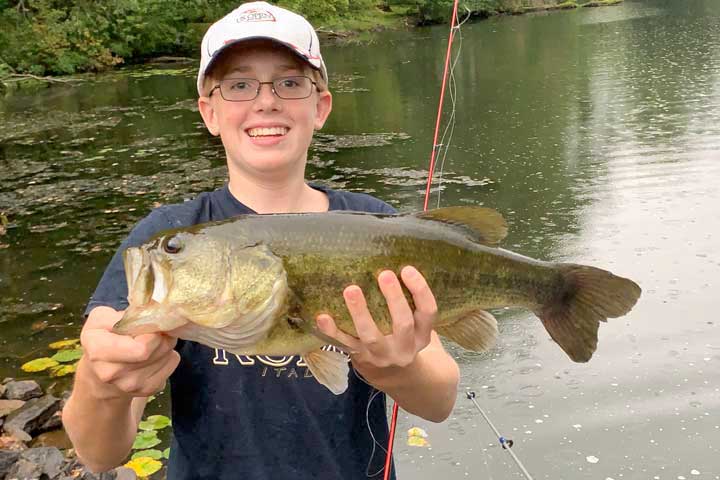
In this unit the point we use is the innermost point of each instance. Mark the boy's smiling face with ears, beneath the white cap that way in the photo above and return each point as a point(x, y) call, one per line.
point(267, 136)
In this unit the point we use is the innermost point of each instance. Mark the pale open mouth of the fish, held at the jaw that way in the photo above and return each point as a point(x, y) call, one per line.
point(147, 290)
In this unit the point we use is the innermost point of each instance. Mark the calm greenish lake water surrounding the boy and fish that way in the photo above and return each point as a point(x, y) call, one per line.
point(595, 132)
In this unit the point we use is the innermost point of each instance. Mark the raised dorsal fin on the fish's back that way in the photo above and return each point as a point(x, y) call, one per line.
point(485, 225)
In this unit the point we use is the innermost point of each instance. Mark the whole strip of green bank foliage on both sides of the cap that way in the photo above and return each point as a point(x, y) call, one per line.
point(55, 37)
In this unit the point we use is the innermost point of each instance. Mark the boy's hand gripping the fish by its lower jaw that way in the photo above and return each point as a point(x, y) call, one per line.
point(118, 366)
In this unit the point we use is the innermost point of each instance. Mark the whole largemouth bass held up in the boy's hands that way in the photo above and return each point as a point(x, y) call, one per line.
point(254, 284)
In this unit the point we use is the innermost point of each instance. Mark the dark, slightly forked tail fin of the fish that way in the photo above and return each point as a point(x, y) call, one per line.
point(590, 295)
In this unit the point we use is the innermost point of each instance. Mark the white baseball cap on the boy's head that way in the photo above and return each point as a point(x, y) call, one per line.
point(258, 20)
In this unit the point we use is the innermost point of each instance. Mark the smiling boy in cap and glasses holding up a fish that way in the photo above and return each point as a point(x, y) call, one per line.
point(262, 88)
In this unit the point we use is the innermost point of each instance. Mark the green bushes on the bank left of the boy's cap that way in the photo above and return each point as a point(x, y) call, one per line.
point(64, 37)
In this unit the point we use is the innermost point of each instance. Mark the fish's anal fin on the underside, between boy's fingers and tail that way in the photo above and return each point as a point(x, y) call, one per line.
point(475, 330)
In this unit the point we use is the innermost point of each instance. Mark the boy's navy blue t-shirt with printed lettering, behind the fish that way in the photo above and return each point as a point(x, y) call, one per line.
point(256, 417)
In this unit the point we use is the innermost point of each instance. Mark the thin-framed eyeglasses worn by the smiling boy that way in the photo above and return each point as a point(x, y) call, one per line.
point(246, 89)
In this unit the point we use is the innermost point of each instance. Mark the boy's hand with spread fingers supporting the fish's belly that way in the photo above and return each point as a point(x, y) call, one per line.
point(410, 330)
